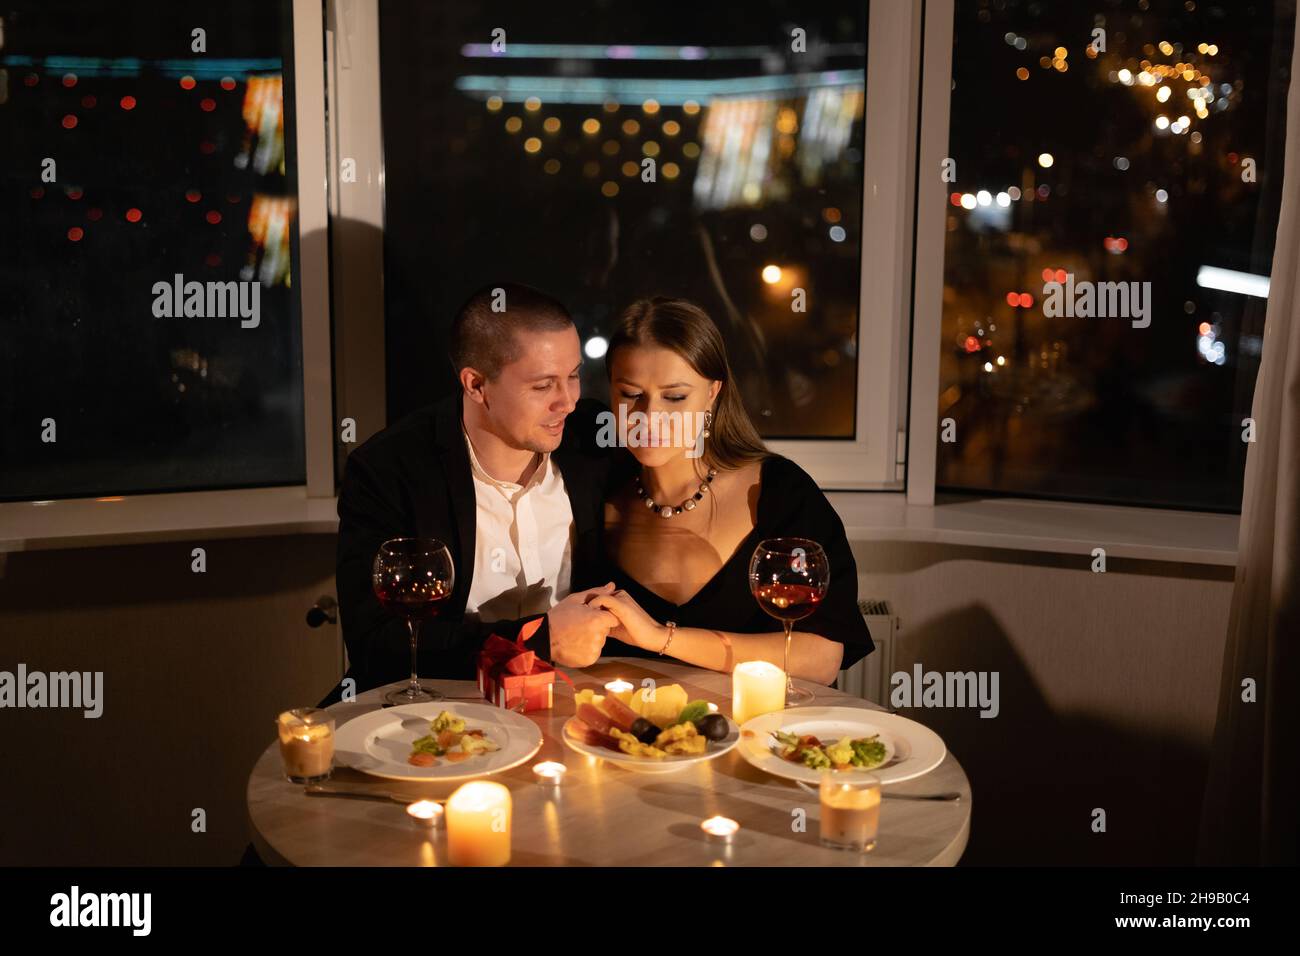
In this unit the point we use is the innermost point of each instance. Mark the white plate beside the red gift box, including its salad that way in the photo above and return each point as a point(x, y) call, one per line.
point(440, 741)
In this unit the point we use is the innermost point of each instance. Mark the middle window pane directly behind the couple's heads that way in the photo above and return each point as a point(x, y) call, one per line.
point(534, 162)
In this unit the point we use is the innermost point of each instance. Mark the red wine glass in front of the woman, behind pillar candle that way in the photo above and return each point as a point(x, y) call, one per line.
point(788, 577)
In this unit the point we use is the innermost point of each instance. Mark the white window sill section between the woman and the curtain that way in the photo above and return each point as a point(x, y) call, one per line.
point(1189, 538)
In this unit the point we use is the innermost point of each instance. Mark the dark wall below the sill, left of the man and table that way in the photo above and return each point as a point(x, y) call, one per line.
point(196, 669)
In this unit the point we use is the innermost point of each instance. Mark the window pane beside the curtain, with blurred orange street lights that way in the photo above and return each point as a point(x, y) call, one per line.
point(1111, 218)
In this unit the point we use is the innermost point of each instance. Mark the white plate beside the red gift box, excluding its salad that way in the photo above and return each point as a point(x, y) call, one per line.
point(379, 743)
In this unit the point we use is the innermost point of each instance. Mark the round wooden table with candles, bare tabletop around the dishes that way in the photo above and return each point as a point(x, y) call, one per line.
point(603, 815)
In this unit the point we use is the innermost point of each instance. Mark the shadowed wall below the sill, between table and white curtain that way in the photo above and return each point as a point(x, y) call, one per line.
point(1108, 689)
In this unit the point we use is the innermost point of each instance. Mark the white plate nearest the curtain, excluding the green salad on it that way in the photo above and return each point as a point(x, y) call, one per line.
point(913, 750)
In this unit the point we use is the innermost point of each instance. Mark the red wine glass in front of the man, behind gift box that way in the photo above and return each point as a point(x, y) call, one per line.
point(413, 577)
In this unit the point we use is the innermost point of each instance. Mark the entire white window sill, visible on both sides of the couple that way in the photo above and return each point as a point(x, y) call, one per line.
point(1034, 526)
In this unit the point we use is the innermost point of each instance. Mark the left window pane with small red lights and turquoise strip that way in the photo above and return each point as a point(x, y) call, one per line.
point(151, 334)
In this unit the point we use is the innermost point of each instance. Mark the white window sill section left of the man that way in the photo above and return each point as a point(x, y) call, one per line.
point(179, 517)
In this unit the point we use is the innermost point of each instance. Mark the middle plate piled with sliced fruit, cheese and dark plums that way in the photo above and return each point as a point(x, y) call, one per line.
point(653, 730)
